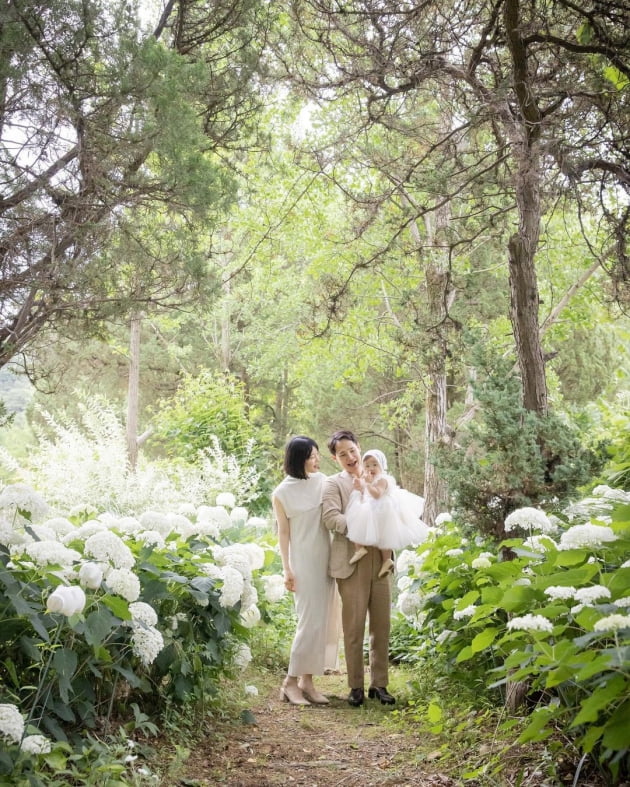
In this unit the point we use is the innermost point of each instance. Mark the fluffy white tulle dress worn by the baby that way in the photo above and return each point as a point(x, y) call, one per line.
point(391, 521)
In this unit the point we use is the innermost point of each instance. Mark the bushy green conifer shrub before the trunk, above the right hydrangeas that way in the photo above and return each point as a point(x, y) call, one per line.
point(510, 457)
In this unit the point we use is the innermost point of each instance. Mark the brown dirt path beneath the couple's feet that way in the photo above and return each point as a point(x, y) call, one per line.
point(318, 746)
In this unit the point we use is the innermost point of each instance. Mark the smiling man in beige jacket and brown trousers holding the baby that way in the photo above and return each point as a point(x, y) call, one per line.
point(363, 593)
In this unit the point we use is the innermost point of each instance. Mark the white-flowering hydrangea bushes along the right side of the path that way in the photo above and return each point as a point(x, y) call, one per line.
point(555, 618)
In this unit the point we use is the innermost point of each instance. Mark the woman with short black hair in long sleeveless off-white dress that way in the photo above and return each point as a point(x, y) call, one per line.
point(304, 548)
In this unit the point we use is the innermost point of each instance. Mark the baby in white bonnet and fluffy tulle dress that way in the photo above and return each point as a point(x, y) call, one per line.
point(381, 514)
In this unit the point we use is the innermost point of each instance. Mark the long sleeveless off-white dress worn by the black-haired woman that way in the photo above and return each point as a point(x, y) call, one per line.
point(316, 641)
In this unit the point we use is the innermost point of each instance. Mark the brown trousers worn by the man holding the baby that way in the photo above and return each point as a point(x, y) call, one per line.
point(364, 595)
